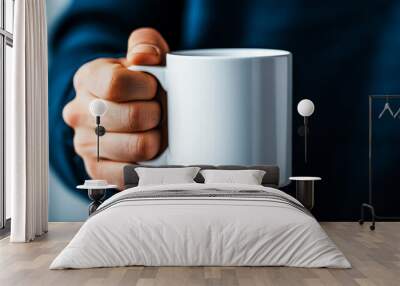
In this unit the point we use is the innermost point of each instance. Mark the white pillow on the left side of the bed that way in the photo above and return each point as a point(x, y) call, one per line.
point(162, 176)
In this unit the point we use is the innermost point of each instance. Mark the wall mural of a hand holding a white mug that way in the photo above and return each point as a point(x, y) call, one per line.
point(226, 94)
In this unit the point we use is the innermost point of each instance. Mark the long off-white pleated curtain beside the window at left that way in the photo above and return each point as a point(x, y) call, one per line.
point(27, 127)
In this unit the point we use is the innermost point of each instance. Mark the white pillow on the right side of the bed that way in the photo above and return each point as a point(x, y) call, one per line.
point(248, 177)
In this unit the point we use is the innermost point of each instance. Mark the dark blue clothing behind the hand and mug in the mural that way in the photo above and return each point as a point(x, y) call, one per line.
point(343, 51)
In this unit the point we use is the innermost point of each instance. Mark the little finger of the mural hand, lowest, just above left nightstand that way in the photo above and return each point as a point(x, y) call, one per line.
point(105, 170)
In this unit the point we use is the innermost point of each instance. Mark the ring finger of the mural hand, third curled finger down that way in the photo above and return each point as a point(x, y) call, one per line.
point(122, 147)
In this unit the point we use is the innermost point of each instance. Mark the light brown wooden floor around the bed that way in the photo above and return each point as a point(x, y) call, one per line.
point(375, 257)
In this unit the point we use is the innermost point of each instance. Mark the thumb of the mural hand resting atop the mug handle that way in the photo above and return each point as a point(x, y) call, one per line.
point(146, 46)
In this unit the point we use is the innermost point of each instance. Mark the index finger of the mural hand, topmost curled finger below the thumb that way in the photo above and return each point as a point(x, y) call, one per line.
point(111, 80)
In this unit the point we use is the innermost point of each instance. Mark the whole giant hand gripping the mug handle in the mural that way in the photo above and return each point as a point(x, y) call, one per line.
point(133, 116)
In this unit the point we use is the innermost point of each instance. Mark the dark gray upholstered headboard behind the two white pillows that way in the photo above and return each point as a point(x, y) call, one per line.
point(271, 177)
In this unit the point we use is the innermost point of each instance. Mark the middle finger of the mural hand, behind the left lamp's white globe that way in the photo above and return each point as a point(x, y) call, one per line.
point(121, 117)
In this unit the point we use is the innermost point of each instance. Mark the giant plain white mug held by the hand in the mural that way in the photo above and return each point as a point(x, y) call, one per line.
point(228, 106)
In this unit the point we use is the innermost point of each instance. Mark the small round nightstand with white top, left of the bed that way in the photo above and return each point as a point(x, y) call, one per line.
point(97, 190)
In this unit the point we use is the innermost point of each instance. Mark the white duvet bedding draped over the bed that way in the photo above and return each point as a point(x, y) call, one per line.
point(200, 231)
